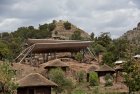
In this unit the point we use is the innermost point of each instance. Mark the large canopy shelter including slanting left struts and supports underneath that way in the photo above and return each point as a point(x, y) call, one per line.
point(47, 49)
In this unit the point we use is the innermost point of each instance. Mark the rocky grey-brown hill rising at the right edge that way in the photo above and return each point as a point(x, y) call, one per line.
point(133, 35)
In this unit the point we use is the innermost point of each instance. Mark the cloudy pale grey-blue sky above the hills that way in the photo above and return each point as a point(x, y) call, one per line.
point(114, 16)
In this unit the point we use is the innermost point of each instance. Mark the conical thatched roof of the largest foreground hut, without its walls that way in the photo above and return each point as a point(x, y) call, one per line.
point(35, 79)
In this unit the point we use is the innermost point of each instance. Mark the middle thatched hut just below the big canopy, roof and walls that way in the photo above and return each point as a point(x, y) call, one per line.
point(56, 63)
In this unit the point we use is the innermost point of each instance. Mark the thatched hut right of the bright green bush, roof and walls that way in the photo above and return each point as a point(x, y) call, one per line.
point(103, 70)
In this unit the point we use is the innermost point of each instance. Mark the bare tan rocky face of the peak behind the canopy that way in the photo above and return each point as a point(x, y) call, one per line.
point(62, 32)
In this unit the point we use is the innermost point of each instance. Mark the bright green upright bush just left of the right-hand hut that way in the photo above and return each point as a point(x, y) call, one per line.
point(93, 79)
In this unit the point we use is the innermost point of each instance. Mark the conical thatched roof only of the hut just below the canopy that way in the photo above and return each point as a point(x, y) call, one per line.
point(55, 63)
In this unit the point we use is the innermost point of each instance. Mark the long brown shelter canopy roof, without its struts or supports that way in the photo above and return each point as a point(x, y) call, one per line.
point(48, 46)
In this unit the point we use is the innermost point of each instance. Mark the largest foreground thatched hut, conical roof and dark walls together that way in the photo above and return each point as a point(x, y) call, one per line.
point(35, 83)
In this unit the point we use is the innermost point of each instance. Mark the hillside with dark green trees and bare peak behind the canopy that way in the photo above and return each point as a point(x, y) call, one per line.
point(12, 43)
